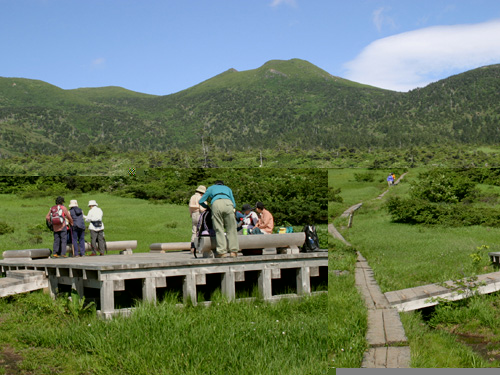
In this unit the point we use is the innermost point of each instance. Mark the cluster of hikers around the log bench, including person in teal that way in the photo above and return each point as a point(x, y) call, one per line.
point(226, 221)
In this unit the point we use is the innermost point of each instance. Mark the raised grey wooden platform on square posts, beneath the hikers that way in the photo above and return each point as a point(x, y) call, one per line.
point(114, 282)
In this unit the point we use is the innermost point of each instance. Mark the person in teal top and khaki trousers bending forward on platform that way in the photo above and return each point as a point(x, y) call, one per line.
point(222, 207)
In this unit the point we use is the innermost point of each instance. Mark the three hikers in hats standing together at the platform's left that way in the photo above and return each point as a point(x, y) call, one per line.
point(69, 228)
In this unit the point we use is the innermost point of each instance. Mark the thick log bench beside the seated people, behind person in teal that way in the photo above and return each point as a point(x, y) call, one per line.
point(285, 243)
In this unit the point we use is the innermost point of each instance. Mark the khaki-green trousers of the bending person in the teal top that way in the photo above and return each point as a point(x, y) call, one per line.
point(223, 220)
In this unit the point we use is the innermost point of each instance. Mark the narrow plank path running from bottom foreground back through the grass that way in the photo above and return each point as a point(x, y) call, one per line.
point(386, 337)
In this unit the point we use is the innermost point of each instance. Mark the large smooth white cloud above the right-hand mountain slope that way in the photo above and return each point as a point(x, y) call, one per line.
point(416, 58)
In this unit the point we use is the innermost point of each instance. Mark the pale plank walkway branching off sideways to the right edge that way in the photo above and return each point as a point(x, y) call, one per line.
point(425, 296)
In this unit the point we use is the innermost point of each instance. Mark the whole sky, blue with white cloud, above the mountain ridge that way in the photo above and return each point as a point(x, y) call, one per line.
point(164, 46)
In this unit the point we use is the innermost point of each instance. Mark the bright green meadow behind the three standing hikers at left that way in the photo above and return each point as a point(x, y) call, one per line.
point(124, 219)
